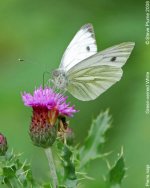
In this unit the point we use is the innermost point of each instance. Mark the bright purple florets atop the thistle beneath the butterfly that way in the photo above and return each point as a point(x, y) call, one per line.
point(49, 99)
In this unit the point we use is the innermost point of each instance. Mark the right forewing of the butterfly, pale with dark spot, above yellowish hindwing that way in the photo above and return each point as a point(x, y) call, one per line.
point(113, 56)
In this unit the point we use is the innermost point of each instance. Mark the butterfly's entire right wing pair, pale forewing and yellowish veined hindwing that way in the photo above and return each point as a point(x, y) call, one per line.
point(94, 75)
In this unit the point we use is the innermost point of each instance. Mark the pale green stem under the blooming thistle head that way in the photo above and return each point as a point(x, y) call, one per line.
point(52, 167)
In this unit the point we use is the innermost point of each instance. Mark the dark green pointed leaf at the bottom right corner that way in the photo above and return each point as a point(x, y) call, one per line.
point(117, 172)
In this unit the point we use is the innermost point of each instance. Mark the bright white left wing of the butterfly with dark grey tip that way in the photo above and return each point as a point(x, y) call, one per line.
point(82, 46)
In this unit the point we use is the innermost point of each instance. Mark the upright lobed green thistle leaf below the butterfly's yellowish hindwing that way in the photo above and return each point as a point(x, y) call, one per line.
point(95, 140)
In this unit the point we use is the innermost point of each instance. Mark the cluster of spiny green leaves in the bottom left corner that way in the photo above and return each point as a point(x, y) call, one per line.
point(13, 172)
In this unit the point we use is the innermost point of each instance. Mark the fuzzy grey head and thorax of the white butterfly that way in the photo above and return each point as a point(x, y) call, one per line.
point(59, 79)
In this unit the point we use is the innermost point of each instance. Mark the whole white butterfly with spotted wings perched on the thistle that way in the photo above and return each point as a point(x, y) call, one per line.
point(85, 73)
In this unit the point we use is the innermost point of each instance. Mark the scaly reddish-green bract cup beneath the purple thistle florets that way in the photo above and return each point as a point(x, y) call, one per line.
point(43, 131)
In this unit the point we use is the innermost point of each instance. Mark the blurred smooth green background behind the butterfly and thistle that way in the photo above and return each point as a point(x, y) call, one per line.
point(39, 31)
